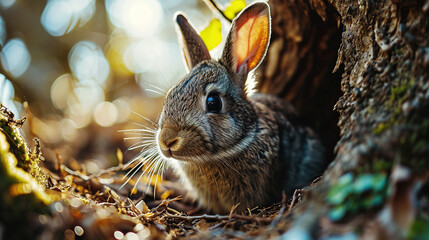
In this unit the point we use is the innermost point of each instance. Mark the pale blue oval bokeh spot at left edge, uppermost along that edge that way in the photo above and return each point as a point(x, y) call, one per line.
point(15, 57)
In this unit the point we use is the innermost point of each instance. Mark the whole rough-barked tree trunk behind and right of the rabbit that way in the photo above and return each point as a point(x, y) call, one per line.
point(383, 110)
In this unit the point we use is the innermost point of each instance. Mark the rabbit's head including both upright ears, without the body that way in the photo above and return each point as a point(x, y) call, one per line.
point(207, 115)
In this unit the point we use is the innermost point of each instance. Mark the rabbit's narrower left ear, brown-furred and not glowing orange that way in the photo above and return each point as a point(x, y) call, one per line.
point(193, 46)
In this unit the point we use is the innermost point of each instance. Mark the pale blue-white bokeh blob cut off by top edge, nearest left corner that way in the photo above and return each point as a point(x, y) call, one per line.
point(62, 16)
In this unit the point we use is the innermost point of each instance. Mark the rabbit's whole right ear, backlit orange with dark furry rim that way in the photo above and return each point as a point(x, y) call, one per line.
point(247, 40)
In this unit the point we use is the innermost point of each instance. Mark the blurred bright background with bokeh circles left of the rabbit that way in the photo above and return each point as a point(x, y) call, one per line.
point(81, 70)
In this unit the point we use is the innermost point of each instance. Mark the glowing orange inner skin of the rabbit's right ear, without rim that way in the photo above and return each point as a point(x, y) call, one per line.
point(252, 36)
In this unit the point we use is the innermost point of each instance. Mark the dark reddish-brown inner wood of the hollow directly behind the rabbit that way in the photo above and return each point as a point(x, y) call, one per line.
point(299, 64)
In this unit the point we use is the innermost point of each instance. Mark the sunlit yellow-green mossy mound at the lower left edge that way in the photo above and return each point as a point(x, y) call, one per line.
point(21, 192)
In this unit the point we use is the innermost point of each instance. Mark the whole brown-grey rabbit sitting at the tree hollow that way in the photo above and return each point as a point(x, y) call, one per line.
point(230, 147)
